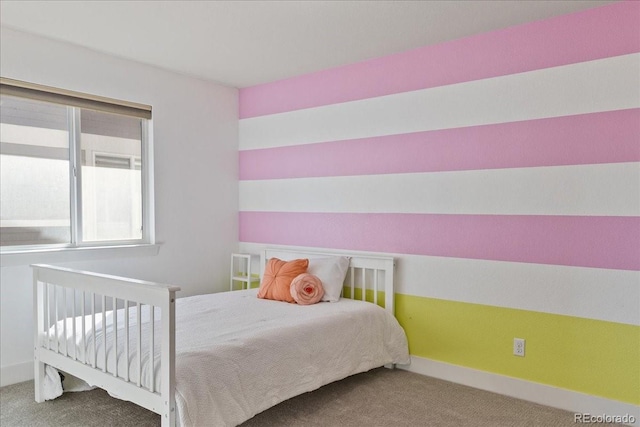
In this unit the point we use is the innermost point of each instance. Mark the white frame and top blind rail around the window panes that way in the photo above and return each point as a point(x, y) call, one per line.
point(75, 102)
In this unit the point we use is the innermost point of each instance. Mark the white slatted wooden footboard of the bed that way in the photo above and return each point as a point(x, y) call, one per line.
point(76, 330)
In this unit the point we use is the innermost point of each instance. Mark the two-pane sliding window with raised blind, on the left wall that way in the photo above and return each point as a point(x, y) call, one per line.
point(75, 169)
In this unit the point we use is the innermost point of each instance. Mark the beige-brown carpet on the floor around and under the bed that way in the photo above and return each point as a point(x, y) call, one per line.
point(381, 397)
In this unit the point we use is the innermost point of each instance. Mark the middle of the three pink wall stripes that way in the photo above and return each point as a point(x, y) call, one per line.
point(608, 137)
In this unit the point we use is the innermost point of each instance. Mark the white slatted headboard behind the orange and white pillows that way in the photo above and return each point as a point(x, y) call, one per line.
point(369, 278)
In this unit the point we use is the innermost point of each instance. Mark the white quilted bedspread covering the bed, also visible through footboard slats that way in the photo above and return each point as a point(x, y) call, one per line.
point(237, 355)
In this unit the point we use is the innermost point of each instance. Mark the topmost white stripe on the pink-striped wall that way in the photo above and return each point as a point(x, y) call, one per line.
point(593, 86)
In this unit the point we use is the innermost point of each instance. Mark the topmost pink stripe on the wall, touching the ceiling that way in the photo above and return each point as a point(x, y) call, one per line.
point(601, 32)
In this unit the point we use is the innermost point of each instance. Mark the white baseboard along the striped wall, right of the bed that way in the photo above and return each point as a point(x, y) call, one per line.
point(568, 400)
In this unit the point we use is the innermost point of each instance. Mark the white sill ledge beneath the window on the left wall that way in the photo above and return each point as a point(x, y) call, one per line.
point(57, 255)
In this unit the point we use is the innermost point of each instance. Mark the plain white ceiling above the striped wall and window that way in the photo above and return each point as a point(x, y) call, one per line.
point(244, 43)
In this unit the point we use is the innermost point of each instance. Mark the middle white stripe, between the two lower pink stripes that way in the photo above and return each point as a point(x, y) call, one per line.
point(602, 189)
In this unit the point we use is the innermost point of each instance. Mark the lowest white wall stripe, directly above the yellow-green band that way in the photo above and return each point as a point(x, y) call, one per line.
point(592, 293)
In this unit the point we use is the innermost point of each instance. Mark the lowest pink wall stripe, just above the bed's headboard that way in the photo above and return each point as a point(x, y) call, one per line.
point(588, 241)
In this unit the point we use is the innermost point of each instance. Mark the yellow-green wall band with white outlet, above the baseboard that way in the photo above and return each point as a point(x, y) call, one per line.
point(584, 355)
